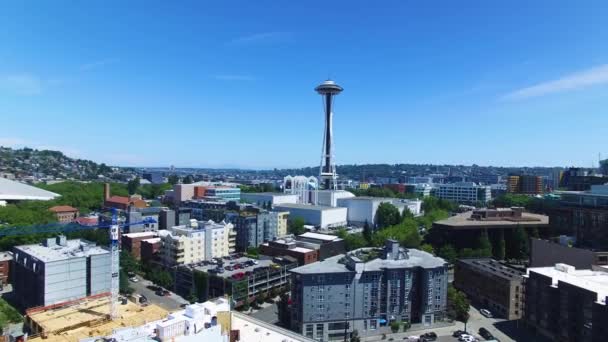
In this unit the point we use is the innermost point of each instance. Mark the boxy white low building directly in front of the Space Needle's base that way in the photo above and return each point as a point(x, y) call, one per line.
point(319, 216)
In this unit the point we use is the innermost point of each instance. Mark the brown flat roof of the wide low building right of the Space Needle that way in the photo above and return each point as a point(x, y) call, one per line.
point(464, 221)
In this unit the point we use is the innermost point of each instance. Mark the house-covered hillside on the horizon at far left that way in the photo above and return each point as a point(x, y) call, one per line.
point(49, 164)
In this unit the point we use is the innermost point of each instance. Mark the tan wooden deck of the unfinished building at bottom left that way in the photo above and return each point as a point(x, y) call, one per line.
point(70, 322)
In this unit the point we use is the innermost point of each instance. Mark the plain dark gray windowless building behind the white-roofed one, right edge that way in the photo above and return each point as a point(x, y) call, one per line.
point(544, 253)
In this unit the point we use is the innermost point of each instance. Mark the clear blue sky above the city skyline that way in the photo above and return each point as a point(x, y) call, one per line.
point(230, 83)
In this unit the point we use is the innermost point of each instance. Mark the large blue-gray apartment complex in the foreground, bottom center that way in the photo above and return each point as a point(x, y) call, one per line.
point(366, 289)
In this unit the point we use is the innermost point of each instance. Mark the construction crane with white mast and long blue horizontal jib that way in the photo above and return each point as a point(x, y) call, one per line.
point(114, 227)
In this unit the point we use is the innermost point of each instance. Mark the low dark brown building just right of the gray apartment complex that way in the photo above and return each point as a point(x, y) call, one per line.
point(493, 285)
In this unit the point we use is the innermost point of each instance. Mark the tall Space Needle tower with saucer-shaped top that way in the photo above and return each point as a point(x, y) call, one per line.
point(327, 170)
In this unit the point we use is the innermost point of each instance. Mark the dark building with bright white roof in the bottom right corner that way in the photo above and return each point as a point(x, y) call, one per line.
point(566, 304)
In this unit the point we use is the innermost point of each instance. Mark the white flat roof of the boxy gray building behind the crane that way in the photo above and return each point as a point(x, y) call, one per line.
point(73, 249)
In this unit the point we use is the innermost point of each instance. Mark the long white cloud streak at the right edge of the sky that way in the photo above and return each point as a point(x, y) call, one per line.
point(577, 80)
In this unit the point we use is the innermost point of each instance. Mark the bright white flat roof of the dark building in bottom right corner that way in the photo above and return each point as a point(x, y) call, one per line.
point(596, 281)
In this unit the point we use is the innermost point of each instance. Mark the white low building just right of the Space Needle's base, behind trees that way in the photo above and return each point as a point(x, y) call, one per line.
point(363, 209)
